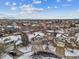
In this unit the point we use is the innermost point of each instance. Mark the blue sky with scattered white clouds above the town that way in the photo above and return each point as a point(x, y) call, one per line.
point(39, 9)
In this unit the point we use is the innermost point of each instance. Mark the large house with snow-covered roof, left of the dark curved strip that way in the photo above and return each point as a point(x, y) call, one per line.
point(9, 41)
